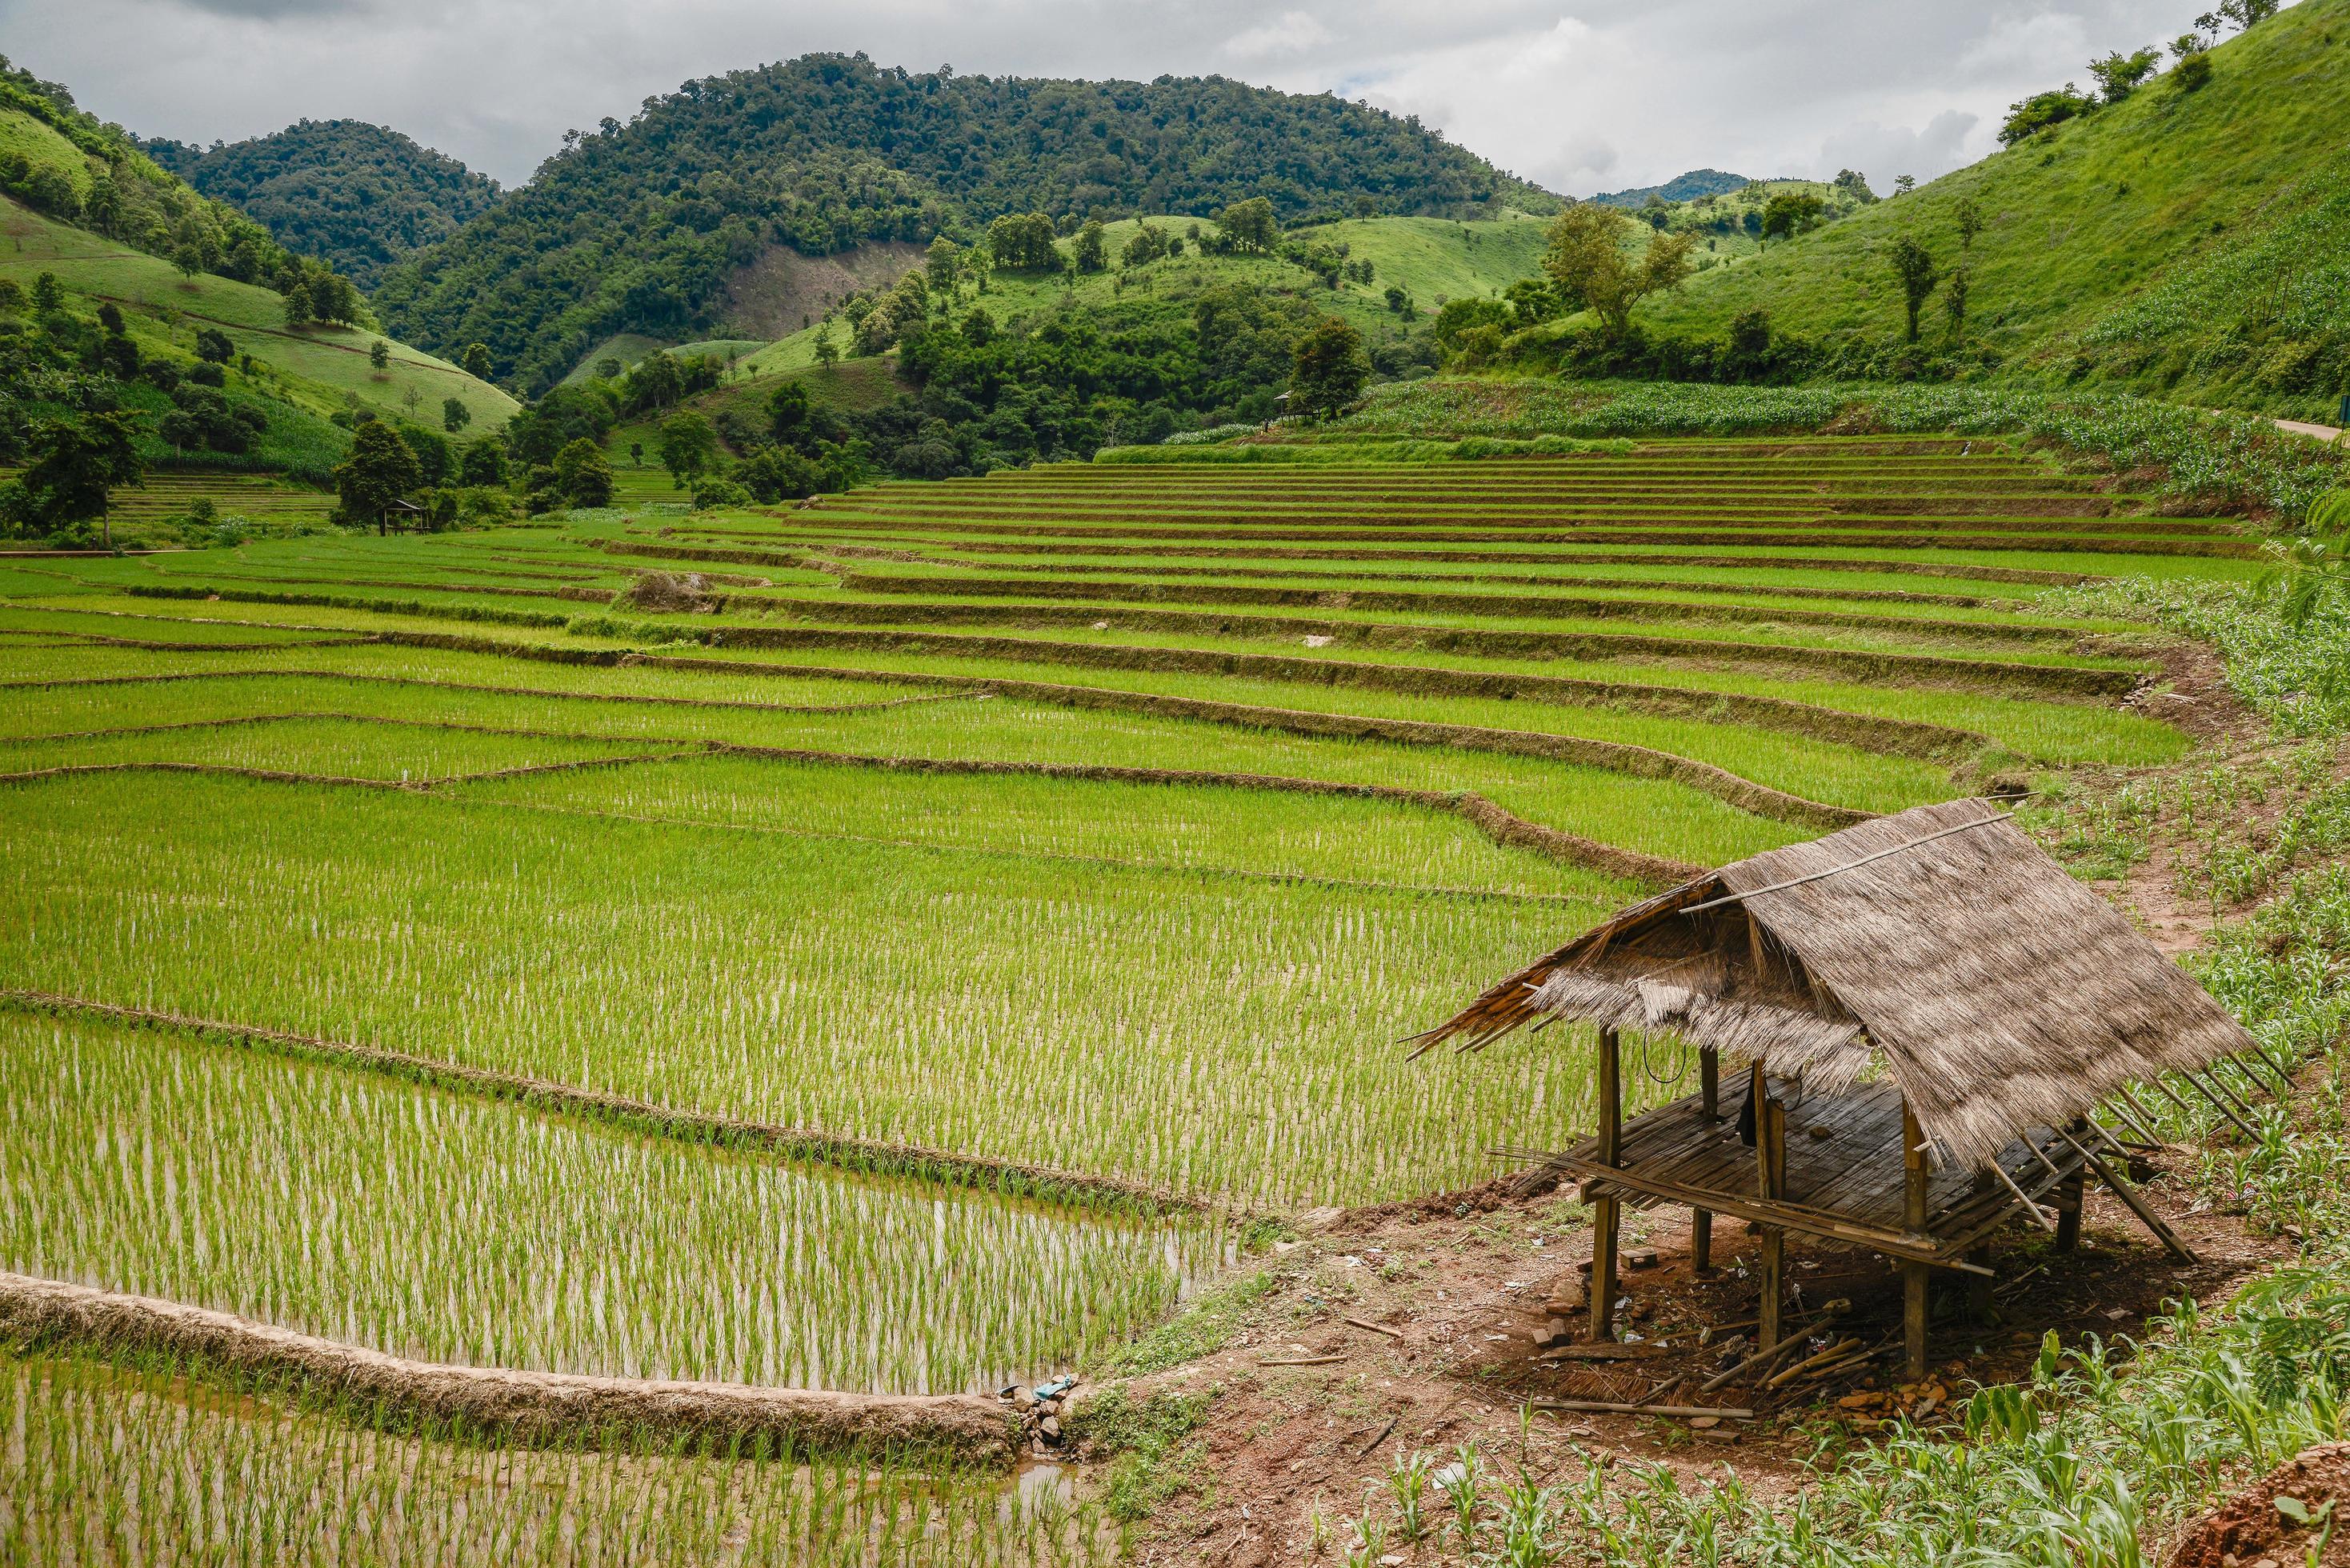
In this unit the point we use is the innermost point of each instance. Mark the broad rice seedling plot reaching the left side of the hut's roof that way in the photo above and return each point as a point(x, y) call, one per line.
point(873, 991)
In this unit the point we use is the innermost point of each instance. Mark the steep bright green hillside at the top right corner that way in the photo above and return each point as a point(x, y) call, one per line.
point(2187, 241)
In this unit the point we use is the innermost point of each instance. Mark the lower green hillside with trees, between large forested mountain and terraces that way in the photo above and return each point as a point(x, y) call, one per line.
point(1080, 359)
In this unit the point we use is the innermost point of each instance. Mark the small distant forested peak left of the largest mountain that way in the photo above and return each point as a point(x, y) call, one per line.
point(351, 194)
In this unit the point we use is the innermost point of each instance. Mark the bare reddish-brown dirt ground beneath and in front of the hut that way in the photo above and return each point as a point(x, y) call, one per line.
point(1423, 1327)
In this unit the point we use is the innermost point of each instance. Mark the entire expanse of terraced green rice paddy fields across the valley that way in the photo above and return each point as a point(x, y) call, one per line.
point(1106, 822)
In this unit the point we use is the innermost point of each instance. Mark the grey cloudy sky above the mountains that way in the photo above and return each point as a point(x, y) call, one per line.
point(1585, 95)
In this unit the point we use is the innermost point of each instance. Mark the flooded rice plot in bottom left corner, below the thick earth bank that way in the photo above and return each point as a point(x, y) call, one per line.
point(142, 1466)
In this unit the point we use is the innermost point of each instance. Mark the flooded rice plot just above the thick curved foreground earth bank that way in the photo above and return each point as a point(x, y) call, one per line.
point(443, 1228)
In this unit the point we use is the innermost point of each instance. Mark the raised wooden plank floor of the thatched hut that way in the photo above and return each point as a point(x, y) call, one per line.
point(1844, 1155)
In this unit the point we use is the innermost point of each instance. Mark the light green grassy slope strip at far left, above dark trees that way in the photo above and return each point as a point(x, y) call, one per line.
point(321, 368)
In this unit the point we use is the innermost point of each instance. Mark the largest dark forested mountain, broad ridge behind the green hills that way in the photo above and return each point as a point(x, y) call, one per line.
point(636, 227)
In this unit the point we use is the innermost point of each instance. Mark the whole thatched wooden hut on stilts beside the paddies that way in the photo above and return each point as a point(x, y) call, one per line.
point(1928, 1010)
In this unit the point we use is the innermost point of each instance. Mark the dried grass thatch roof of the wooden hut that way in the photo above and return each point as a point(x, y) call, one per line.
point(1999, 993)
